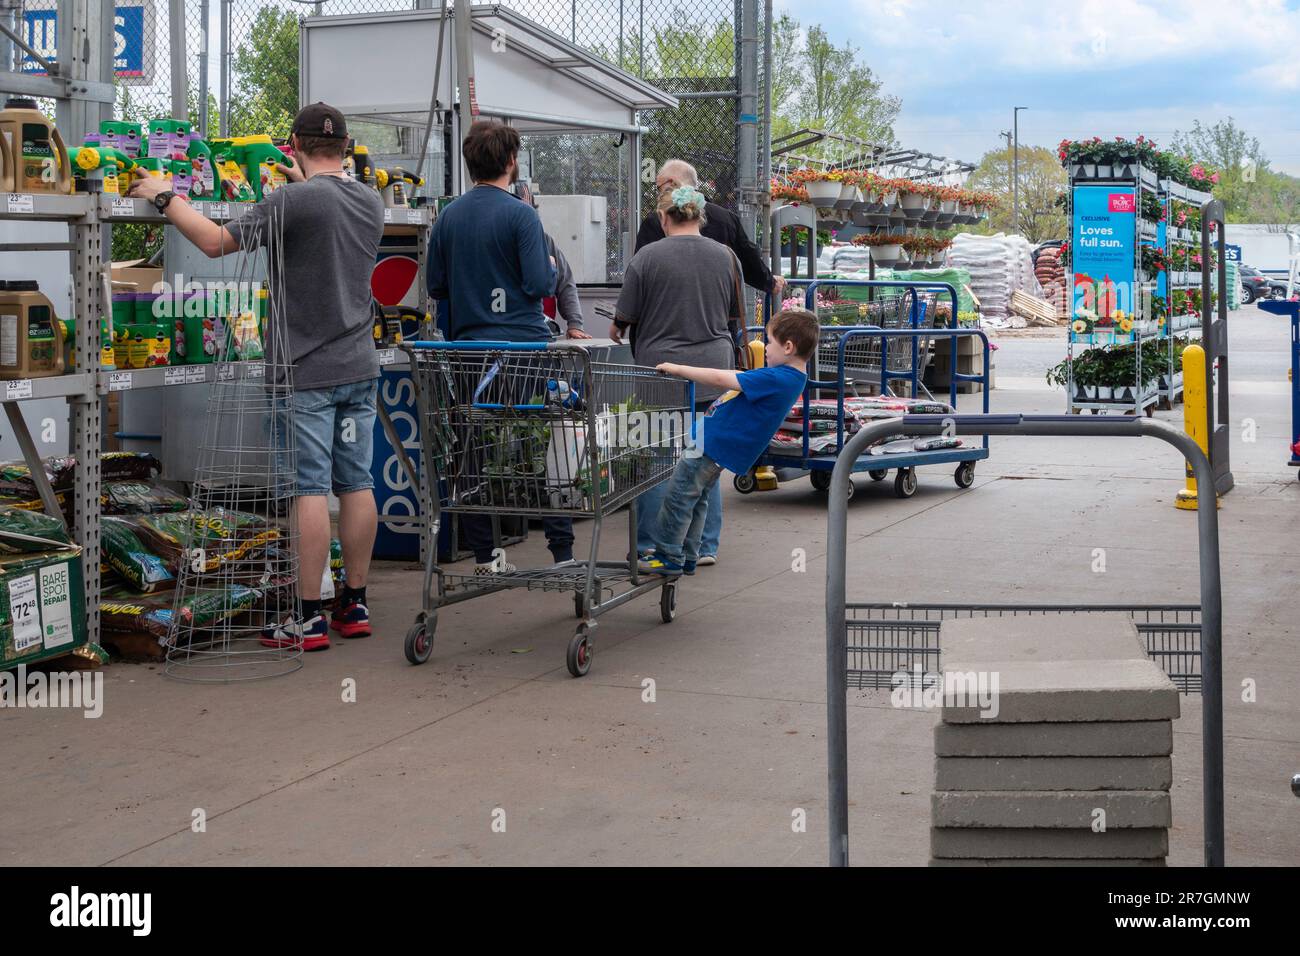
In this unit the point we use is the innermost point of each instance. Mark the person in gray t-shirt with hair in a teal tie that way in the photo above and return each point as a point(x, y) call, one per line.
point(683, 302)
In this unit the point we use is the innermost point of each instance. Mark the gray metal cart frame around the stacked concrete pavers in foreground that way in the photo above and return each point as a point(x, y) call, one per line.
point(1180, 628)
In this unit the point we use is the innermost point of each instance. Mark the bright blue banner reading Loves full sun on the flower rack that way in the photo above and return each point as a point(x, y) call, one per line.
point(1102, 250)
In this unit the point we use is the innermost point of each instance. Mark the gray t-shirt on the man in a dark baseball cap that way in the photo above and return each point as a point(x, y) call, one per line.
point(331, 236)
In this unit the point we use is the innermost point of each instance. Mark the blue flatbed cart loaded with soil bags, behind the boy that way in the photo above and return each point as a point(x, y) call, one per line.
point(818, 468)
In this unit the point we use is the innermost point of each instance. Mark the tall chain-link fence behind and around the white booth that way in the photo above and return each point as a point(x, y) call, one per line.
point(246, 81)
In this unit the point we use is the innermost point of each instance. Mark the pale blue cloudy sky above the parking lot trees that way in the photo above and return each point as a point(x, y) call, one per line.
point(1082, 67)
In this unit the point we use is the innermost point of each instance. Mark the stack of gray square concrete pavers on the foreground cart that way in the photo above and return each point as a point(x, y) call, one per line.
point(1068, 762)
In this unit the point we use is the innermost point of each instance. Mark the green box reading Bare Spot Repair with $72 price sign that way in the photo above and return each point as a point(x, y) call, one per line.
point(42, 605)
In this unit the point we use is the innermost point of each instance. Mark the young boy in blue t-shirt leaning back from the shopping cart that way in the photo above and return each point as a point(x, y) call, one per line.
point(736, 431)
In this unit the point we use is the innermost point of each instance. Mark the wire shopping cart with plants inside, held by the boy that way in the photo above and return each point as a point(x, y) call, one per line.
point(543, 431)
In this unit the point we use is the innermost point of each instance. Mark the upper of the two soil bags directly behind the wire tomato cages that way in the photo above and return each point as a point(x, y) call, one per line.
point(215, 538)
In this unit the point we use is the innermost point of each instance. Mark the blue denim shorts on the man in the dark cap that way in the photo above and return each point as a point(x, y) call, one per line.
point(335, 431)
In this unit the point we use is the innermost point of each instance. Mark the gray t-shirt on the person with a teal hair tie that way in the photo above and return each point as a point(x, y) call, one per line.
point(684, 297)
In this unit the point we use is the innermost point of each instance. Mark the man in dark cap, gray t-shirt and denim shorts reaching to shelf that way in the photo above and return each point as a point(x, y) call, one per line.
point(322, 232)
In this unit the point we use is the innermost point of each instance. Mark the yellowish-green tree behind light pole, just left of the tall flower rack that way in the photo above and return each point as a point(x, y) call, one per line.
point(1041, 179)
